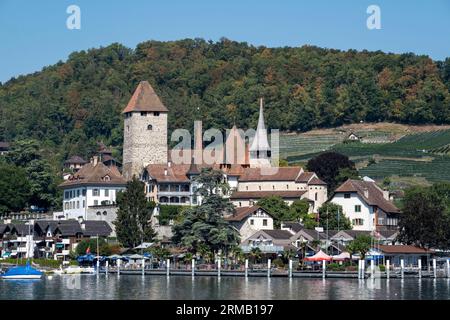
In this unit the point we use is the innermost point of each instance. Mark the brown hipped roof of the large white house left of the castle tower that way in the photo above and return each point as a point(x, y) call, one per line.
point(98, 174)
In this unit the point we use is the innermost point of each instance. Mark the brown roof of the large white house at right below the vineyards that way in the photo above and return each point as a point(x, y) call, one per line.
point(375, 194)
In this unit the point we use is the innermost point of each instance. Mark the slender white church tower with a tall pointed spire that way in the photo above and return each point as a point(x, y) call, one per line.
point(260, 153)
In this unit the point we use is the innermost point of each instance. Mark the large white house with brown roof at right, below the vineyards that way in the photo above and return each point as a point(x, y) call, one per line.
point(366, 205)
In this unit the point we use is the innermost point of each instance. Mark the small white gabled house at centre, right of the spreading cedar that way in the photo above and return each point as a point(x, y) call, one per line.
point(248, 220)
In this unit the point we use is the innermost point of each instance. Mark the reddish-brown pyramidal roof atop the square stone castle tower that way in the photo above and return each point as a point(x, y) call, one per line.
point(145, 99)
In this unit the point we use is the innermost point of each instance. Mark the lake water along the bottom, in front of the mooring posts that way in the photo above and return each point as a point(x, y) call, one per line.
point(183, 287)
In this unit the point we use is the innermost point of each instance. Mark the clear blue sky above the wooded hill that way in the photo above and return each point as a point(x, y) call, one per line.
point(33, 33)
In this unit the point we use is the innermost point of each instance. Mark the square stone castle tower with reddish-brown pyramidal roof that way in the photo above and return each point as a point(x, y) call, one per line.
point(145, 131)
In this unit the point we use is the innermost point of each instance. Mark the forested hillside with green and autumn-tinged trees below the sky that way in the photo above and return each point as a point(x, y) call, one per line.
point(69, 106)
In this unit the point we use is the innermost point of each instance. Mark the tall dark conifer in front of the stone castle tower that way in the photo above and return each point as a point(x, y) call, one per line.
point(133, 222)
